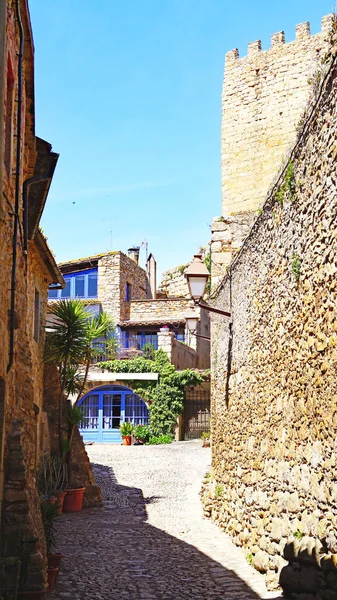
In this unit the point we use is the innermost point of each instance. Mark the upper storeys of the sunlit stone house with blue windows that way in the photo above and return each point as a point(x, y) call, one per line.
point(128, 294)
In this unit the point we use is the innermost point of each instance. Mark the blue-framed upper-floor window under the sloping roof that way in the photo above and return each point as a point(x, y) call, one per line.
point(82, 284)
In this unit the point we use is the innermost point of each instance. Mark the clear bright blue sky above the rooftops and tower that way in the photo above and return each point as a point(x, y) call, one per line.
point(129, 93)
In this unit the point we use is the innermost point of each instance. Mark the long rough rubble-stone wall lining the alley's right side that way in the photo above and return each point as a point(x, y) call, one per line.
point(274, 419)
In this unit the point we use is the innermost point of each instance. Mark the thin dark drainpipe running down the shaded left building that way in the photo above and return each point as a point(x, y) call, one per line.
point(17, 191)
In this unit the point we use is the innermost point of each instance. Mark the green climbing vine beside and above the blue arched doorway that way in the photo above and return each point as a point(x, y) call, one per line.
point(165, 398)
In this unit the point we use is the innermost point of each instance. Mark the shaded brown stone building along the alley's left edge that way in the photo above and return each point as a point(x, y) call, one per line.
point(27, 165)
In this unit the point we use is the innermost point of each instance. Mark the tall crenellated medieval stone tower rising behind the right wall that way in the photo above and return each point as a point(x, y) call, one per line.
point(263, 99)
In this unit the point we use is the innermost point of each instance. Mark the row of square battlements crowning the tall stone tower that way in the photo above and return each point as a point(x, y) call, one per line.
point(277, 39)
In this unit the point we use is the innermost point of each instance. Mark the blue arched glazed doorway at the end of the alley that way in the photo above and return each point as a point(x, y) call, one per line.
point(105, 408)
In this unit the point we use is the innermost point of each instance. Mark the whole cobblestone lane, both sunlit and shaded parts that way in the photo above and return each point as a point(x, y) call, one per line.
point(150, 541)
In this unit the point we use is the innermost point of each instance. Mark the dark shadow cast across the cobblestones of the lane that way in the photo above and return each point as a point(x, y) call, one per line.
point(112, 553)
